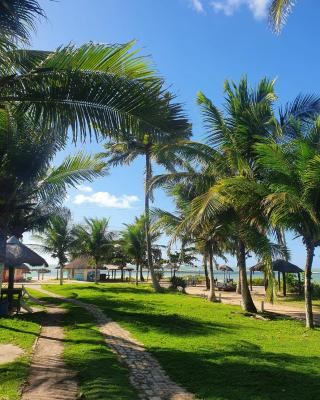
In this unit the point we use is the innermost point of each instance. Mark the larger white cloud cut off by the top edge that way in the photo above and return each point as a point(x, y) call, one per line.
point(259, 8)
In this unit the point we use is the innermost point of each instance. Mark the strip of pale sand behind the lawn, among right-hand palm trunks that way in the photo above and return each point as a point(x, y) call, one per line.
point(258, 295)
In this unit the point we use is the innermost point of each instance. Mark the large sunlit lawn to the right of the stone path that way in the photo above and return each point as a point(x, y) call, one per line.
point(214, 350)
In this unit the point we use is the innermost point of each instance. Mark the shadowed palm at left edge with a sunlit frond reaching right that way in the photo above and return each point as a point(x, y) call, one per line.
point(33, 190)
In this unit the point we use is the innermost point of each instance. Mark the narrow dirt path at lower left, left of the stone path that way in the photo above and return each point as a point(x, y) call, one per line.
point(49, 379)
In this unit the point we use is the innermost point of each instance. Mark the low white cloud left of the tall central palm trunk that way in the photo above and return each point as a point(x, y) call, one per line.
point(105, 199)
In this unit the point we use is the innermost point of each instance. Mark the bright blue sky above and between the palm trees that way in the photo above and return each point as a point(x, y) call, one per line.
point(196, 45)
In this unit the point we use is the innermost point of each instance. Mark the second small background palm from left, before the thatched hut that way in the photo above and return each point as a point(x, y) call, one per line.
point(94, 239)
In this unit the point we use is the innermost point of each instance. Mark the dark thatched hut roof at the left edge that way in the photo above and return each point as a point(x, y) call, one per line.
point(18, 253)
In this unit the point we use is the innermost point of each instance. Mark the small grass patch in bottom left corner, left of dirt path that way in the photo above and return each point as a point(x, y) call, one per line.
point(21, 331)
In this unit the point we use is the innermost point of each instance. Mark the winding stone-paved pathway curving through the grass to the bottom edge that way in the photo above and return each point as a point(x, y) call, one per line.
point(146, 374)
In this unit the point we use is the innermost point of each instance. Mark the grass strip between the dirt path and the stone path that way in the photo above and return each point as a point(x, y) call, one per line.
point(100, 374)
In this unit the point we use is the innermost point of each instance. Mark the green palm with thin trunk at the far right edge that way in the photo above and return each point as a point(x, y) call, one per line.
point(293, 198)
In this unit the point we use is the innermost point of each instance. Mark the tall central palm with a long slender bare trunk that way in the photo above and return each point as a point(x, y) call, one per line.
point(162, 149)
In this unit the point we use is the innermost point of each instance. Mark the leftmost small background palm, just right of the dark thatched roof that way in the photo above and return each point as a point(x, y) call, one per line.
point(57, 238)
